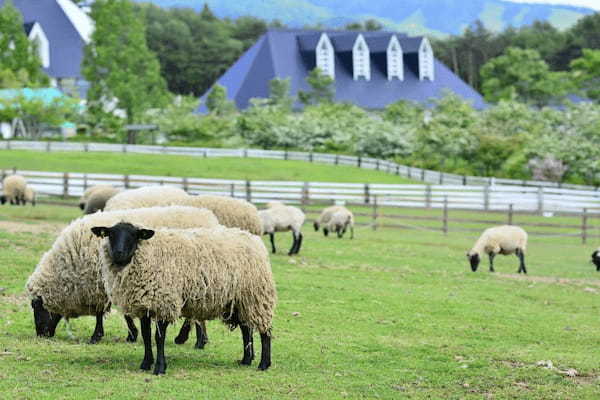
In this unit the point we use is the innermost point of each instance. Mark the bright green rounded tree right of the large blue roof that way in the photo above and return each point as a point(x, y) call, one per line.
point(522, 74)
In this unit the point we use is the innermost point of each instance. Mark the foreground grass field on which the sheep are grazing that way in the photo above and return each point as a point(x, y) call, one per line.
point(392, 314)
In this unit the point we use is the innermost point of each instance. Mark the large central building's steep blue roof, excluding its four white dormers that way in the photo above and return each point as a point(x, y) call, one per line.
point(290, 54)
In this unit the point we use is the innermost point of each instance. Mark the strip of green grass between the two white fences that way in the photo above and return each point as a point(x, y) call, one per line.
point(166, 165)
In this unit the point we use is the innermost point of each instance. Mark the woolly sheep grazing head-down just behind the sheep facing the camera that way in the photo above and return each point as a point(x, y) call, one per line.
point(67, 281)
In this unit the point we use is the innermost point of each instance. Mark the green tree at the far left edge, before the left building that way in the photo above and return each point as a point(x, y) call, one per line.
point(18, 56)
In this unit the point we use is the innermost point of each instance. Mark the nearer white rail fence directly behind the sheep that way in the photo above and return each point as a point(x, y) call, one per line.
point(472, 197)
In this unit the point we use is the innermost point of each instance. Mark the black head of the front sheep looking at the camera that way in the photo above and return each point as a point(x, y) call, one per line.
point(123, 241)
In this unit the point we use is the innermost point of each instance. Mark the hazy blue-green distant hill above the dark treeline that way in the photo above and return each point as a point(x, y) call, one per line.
point(439, 17)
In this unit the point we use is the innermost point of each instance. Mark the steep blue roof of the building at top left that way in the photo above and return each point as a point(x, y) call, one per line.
point(66, 44)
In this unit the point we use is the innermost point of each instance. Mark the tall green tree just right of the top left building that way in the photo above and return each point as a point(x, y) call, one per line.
point(123, 73)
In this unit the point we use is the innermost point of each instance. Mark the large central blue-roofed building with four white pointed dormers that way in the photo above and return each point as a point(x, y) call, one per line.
point(370, 69)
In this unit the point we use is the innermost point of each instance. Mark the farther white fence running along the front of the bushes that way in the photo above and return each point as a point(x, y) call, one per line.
point(424, 175)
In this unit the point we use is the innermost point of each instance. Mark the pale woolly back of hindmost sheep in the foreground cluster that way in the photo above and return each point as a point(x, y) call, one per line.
point(149, 196)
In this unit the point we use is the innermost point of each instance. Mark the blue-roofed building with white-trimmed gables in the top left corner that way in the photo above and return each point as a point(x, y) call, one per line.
point(61, 30)
